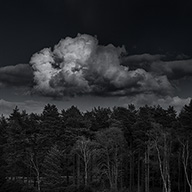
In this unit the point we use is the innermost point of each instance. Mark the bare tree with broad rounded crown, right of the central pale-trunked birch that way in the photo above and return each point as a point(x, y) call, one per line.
point(111, 141)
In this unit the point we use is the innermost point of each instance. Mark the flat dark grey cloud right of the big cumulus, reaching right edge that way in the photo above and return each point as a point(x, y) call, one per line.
point(174, 70)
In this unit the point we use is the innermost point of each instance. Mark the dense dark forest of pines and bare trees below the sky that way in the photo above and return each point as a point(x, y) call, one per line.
point(123, 149)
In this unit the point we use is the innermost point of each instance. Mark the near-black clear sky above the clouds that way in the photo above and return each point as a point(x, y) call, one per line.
point(144, 27)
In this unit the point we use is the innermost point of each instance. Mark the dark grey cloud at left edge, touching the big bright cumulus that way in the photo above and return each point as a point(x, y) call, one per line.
point(19, 75)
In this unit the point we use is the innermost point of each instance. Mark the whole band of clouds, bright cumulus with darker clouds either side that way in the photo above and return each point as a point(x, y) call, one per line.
point(80, 66)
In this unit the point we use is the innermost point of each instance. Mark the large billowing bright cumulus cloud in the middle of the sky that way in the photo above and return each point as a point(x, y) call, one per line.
point(80, 66)
